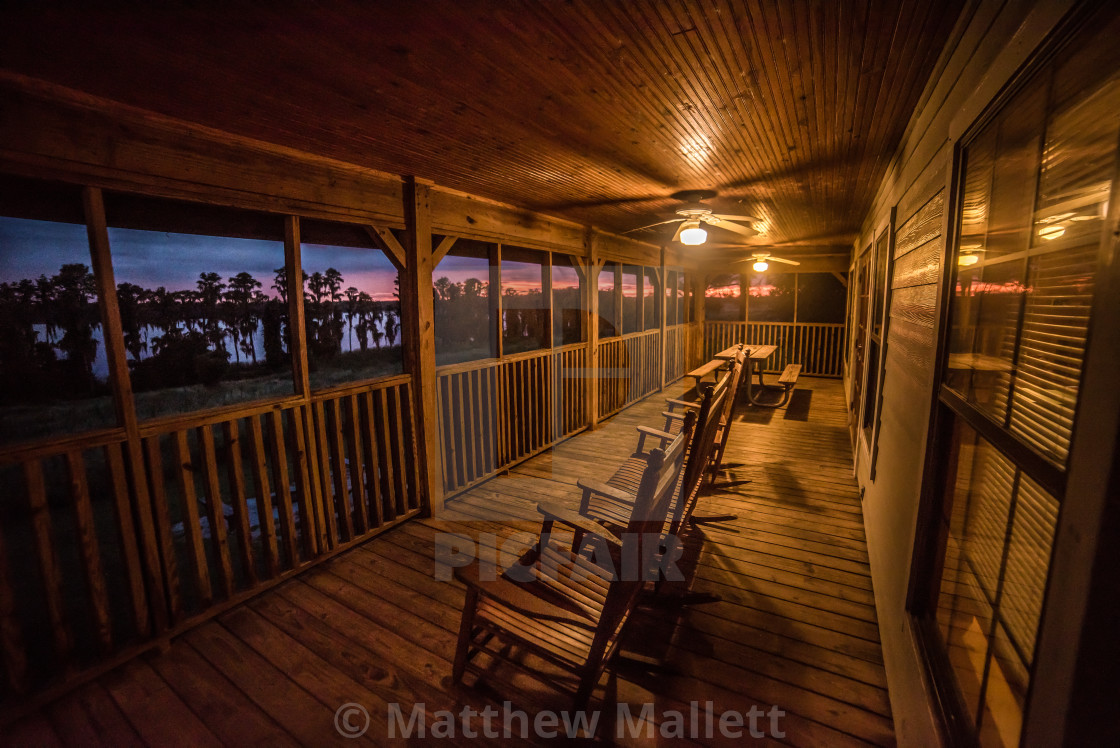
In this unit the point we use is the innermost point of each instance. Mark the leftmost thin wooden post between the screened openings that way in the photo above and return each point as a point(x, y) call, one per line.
point(98, 232)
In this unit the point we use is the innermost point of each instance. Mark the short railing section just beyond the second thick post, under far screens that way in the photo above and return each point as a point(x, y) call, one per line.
point(630, 369)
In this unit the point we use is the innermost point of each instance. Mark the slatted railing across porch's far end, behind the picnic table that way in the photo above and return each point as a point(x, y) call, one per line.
point(818, 348)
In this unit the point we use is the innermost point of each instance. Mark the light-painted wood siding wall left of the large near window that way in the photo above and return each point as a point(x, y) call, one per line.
point(979, 59)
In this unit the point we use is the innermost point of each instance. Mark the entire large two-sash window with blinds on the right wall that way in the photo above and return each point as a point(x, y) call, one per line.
point(1034, 193)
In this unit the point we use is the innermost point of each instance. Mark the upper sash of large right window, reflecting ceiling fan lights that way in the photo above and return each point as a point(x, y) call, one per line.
point(1037, 186)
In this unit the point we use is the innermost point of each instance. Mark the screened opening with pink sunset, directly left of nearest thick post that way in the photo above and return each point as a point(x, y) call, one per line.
point(351, 306)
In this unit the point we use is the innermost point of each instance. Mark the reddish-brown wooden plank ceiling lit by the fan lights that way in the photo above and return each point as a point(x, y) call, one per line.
point(591, 110)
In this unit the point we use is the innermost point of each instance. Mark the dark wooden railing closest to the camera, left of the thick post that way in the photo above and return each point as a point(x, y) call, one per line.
point(115, 543)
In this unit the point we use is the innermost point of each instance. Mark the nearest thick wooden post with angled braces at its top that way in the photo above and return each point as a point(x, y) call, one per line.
point(418, 317)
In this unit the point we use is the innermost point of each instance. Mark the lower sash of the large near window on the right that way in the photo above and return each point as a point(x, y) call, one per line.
point(1001, 529)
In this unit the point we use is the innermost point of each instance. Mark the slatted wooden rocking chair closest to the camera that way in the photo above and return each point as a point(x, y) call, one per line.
point(563, 606)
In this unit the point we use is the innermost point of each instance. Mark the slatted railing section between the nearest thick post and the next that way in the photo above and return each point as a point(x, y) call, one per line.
point(494, 414)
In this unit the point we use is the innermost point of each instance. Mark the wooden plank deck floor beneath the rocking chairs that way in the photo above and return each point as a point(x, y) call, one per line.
point(795, 625)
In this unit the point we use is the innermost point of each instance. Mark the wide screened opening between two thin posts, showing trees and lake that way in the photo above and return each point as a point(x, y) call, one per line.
point(206, 314)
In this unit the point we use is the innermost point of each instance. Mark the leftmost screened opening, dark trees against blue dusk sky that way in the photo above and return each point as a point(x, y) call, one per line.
point(54, 373)
